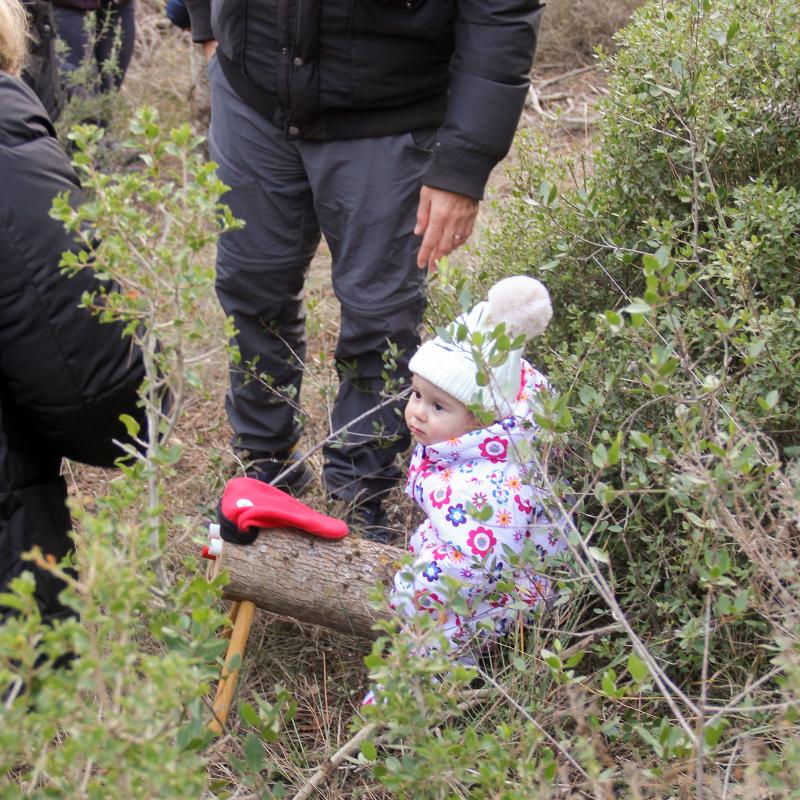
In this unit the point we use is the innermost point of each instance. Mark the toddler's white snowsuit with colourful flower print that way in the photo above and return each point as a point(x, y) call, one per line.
point(451, 479)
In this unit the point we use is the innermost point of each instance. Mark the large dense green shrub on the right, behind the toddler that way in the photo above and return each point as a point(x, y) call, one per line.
point(673, 268)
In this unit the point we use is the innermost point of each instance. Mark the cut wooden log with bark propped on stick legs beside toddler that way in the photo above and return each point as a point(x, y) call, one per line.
point(313, 580)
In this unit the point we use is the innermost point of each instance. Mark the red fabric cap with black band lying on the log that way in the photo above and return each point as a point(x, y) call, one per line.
point(249, 503)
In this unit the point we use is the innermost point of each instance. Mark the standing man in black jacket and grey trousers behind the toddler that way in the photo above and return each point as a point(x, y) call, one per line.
point(376, 122)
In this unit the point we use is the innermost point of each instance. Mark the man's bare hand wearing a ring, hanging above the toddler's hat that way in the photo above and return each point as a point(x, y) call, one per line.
point(445, 221)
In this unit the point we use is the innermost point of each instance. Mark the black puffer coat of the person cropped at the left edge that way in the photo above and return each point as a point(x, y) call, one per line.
point(65, 378)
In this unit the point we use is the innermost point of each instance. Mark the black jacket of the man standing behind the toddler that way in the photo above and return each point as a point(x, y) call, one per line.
point(345, 69)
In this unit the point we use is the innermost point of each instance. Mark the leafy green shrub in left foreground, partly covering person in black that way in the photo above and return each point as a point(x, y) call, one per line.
point(127, 718)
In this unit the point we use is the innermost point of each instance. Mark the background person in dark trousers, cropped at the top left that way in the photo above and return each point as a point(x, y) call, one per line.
point(111, 37)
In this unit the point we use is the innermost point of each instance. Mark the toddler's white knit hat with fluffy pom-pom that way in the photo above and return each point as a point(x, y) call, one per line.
point(449, 362)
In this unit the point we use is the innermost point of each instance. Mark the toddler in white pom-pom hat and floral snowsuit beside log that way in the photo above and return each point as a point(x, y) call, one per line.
point(478, 485)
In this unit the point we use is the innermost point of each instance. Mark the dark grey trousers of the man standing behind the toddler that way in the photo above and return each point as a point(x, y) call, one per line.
point(362, 194)
